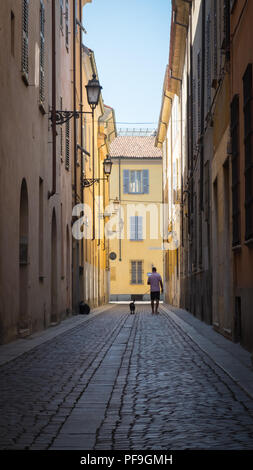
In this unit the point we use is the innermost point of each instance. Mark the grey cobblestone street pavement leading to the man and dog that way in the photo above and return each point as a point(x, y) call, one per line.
point(121, 381)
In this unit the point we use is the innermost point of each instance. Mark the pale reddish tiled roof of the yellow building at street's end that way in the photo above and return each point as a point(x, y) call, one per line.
point(134, 147)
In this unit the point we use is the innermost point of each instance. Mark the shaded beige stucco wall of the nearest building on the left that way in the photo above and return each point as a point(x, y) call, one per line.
point(26, 152)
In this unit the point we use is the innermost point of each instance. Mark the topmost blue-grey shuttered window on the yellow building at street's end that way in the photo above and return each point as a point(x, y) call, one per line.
point(136, 181)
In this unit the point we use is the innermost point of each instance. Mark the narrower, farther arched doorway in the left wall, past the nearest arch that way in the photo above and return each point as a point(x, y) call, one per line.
point(54, 315)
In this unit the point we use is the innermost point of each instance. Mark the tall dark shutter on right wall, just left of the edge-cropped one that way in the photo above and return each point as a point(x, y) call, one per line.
point(234, 109)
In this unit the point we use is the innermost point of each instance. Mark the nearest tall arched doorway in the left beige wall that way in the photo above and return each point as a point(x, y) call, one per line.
point(23, 323)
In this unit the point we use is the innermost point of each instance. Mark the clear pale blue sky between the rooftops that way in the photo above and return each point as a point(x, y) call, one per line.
point(130, 39)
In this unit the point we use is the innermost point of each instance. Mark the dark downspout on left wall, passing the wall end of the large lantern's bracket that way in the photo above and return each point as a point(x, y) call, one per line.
point(53, 191)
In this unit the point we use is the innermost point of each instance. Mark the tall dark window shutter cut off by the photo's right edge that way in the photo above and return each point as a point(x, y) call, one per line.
point(248, 147)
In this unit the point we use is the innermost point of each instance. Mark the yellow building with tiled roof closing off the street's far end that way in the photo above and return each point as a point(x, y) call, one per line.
point(135, 228)
